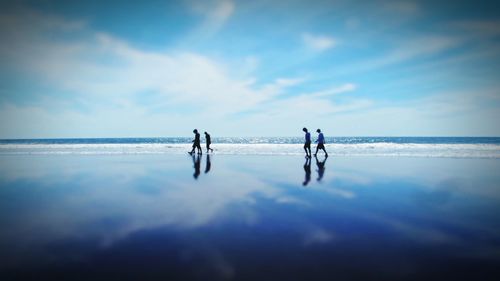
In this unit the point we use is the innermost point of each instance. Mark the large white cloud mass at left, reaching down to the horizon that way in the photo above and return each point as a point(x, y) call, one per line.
point(109, 77)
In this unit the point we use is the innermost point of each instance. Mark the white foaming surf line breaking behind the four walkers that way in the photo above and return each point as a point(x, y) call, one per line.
point(390, 149)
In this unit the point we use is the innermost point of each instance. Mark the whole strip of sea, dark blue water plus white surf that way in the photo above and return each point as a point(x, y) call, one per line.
point(455, 147)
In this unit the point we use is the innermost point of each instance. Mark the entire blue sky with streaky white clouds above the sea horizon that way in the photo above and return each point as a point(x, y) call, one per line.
point(85, 69)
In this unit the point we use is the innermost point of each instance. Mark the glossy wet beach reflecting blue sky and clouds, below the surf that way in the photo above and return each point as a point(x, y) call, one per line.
point(170, 217)
